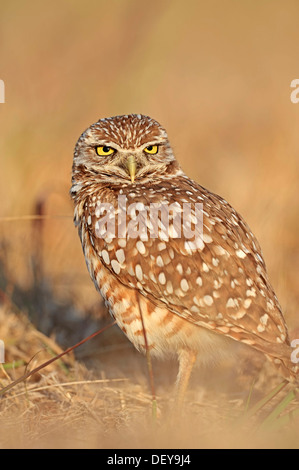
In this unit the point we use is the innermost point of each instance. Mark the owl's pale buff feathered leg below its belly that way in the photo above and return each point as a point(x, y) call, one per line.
point(187, 358)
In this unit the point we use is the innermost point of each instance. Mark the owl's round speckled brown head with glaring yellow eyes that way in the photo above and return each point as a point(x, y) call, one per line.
point(124, 149)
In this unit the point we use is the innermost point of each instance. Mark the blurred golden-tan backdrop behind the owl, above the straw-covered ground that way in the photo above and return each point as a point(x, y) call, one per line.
point(215, 74)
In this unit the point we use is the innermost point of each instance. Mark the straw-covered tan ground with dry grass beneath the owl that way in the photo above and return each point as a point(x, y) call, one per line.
point(101, 398)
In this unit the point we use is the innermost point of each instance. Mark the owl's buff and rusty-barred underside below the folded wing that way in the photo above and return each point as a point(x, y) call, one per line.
point(138, 317)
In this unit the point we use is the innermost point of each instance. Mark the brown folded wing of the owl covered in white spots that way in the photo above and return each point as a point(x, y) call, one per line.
point(218, 282)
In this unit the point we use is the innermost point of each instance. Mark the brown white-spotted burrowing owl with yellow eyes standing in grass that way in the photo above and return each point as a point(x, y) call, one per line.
point(196, 295)
